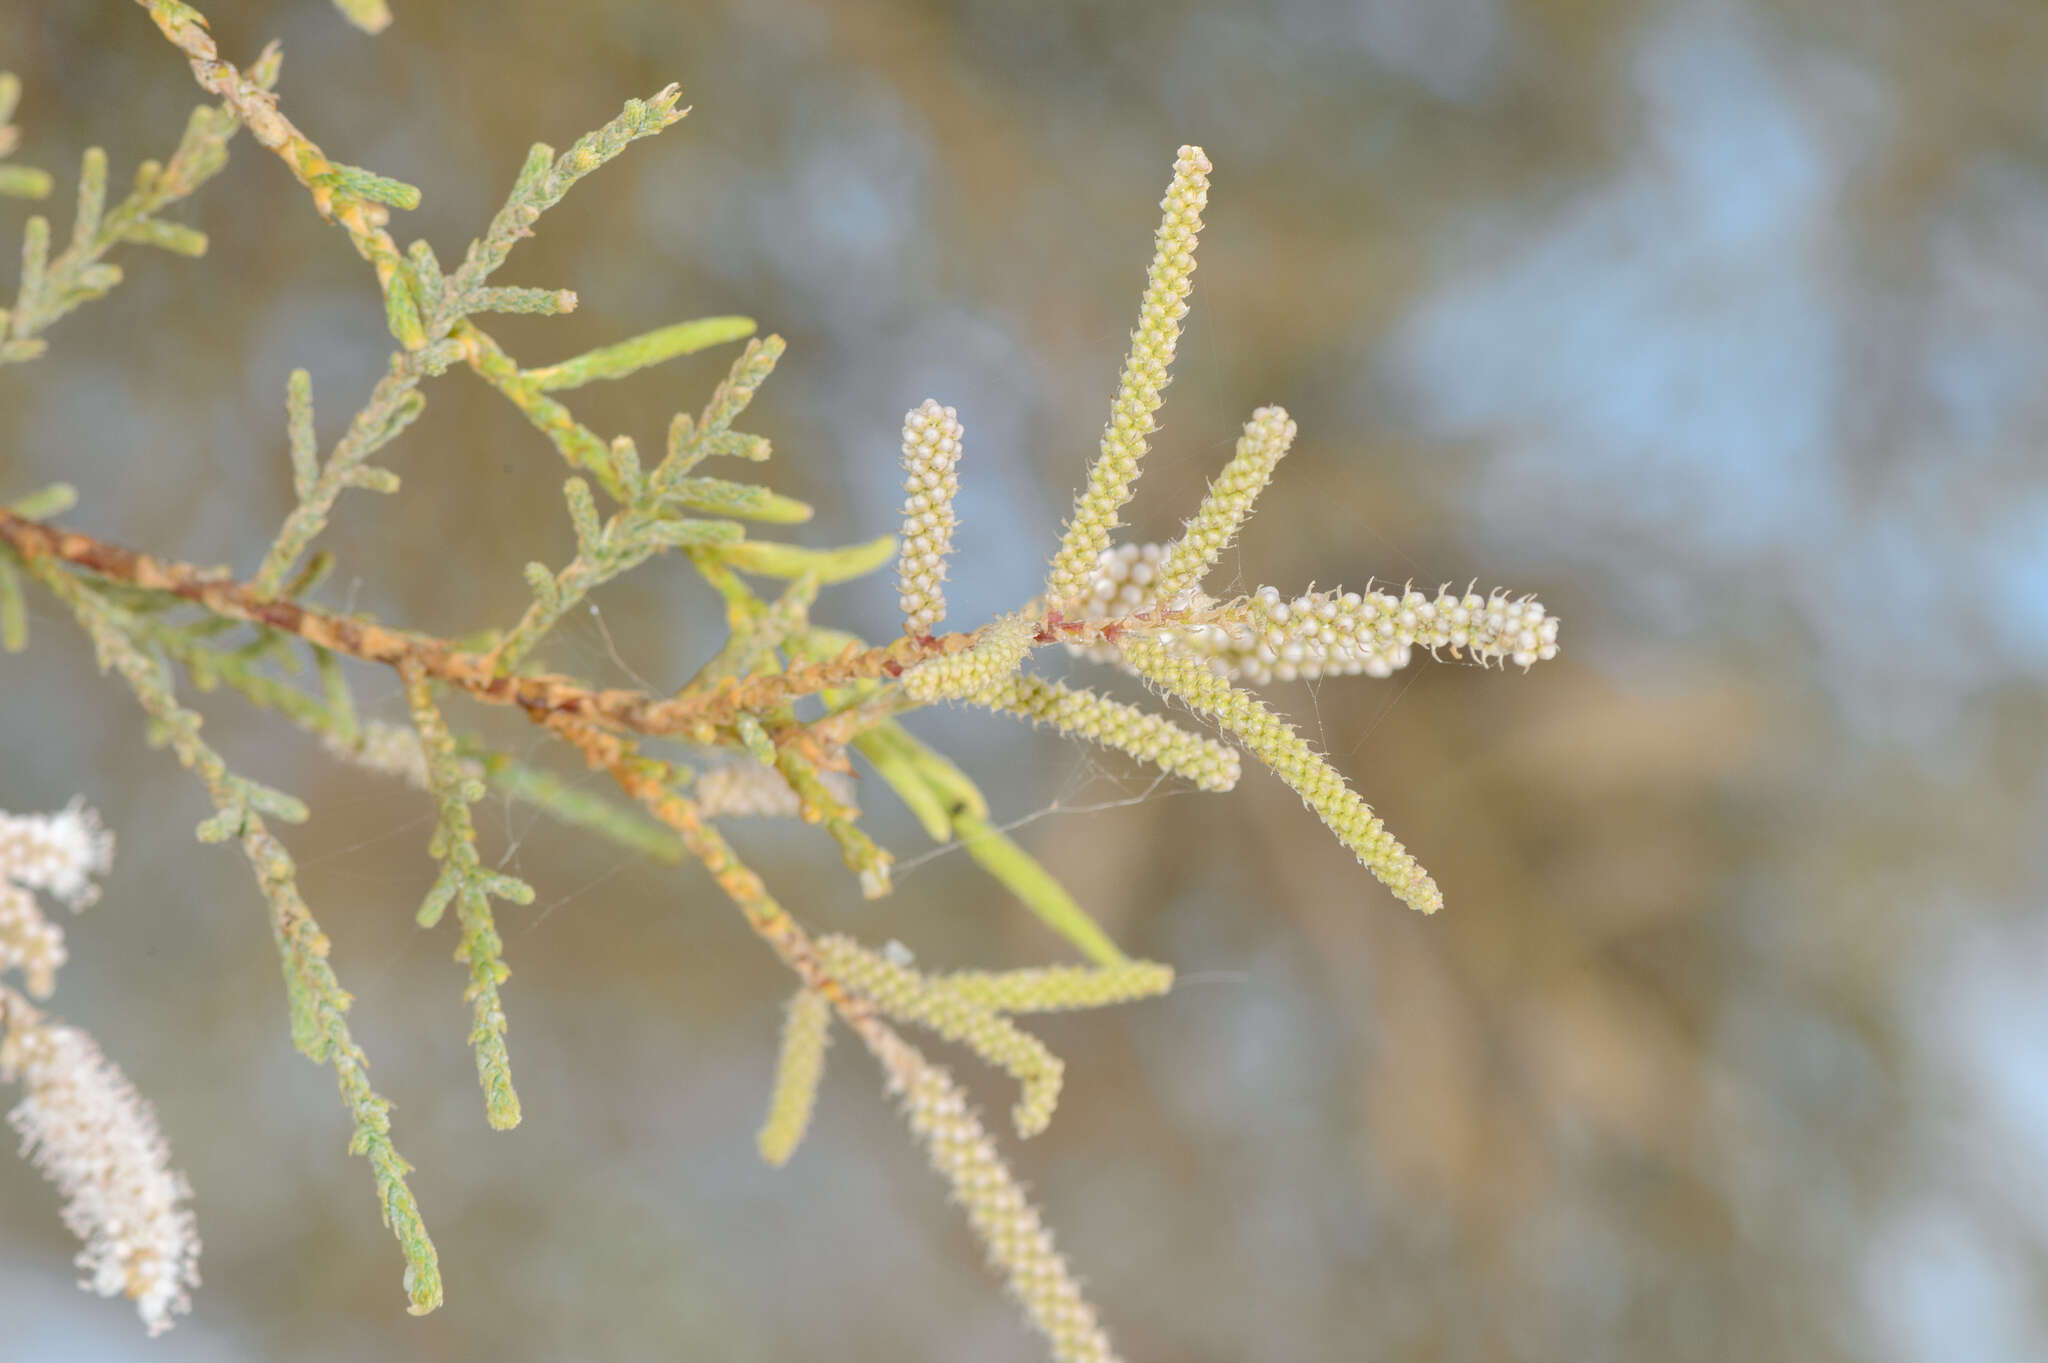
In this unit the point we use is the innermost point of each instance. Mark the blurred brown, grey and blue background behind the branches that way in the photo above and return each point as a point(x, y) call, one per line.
point(1717, 324)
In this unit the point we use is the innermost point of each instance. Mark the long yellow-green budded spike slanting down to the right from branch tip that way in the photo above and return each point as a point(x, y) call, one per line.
point(1295, 762)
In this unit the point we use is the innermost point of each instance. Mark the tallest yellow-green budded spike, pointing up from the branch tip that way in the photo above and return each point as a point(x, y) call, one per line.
point(1142, 386)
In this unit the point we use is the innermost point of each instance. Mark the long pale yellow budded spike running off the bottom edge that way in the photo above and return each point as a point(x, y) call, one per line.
point(1002, 1217)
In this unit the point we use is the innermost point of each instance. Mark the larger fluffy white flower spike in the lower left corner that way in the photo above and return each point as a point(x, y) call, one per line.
point(91, 1135)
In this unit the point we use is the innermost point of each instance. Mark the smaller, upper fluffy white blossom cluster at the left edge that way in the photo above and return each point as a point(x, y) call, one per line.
point(46, 852)
